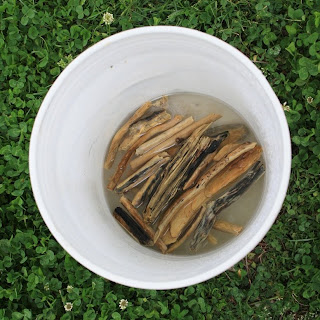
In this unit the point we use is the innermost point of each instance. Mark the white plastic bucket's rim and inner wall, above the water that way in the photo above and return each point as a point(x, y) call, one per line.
point(82, 111)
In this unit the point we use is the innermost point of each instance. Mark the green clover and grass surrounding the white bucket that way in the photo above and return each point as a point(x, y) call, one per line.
point(280, 279)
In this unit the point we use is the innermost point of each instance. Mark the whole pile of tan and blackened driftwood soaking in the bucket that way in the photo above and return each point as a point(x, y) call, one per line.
point(194, 149)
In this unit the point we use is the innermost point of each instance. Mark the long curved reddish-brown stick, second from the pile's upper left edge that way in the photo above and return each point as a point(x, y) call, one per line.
point(125, 159)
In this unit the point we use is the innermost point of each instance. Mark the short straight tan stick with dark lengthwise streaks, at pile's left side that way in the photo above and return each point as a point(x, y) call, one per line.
point(143, 173)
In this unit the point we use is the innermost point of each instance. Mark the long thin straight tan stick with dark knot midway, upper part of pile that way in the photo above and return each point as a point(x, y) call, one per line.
point(173, 140)
